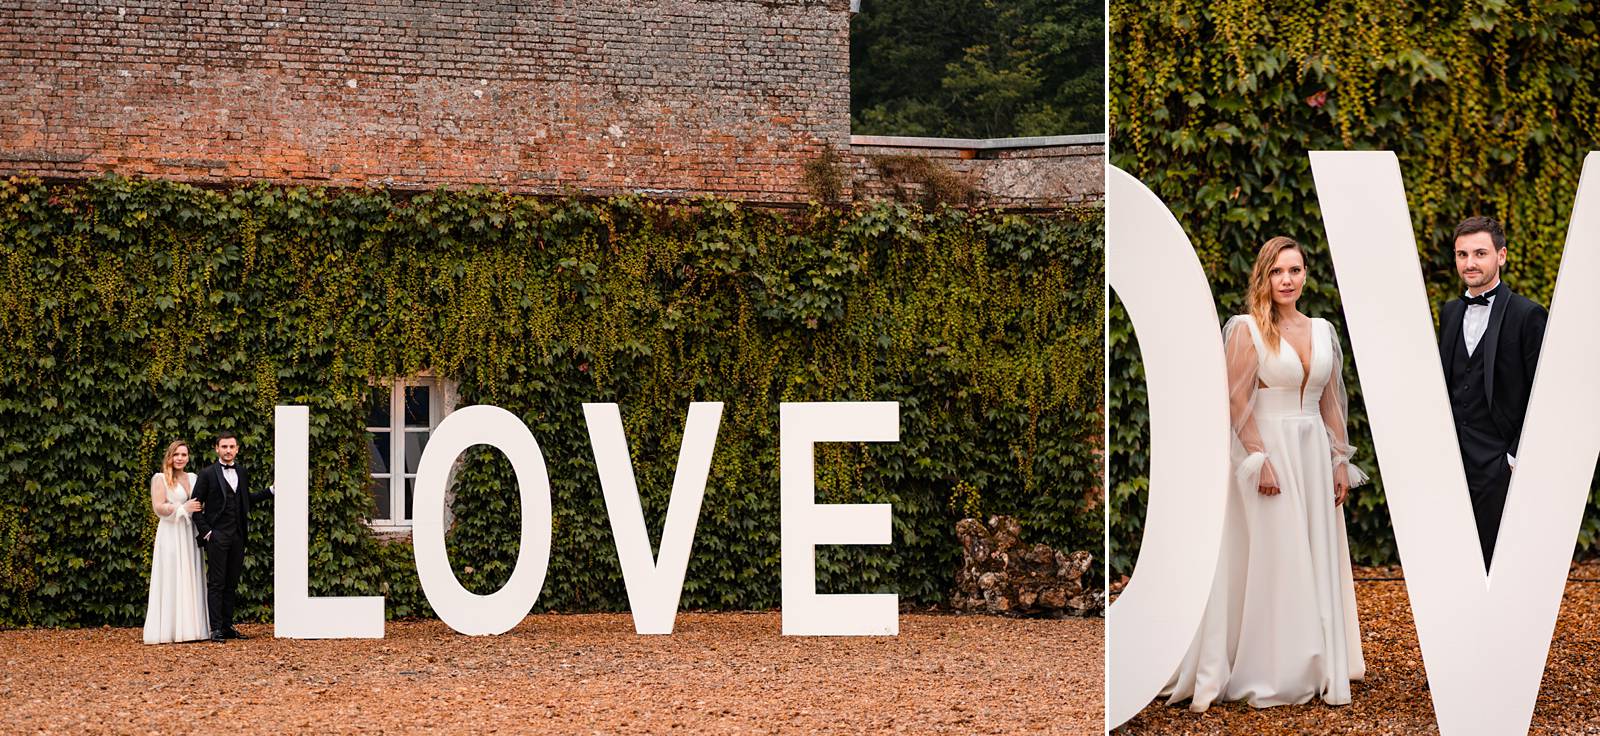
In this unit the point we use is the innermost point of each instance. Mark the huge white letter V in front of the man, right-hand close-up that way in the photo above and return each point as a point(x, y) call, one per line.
point(1484, 641)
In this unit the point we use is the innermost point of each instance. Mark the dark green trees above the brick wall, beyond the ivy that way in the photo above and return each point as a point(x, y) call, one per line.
point(977, 68)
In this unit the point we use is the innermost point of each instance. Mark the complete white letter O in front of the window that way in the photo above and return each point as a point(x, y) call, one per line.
point(463, 610)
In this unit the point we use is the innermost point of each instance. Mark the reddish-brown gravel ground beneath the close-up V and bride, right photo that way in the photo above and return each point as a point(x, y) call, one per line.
point(1394, 698)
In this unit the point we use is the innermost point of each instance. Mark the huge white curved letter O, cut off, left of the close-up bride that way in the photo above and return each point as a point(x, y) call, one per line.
point(1156, 273)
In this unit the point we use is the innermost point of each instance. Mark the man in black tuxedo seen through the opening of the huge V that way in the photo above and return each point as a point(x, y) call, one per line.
point(1490, 346)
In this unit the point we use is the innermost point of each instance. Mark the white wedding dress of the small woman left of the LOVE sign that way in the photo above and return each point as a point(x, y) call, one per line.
point(178, 609)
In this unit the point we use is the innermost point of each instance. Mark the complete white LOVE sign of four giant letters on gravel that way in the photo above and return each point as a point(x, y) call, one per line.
point(654, 585)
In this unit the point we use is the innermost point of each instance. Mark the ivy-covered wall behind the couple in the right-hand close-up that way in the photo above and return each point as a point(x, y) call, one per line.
point(1490, 108)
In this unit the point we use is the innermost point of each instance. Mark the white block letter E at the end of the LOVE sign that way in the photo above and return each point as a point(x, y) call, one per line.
point(804, 524)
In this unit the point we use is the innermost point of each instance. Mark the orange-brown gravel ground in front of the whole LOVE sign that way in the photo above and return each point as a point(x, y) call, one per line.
point(721, 673)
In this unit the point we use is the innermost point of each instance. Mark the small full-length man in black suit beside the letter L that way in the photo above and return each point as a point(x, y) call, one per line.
point(223, 529)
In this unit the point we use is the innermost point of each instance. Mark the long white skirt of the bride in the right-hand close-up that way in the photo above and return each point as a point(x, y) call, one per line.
point(1281, 625)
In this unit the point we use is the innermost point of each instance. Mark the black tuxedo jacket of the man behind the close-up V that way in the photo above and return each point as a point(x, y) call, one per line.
point(1511, 343)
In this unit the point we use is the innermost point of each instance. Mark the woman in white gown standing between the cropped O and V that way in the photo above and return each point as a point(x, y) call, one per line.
point(1281, 623)
